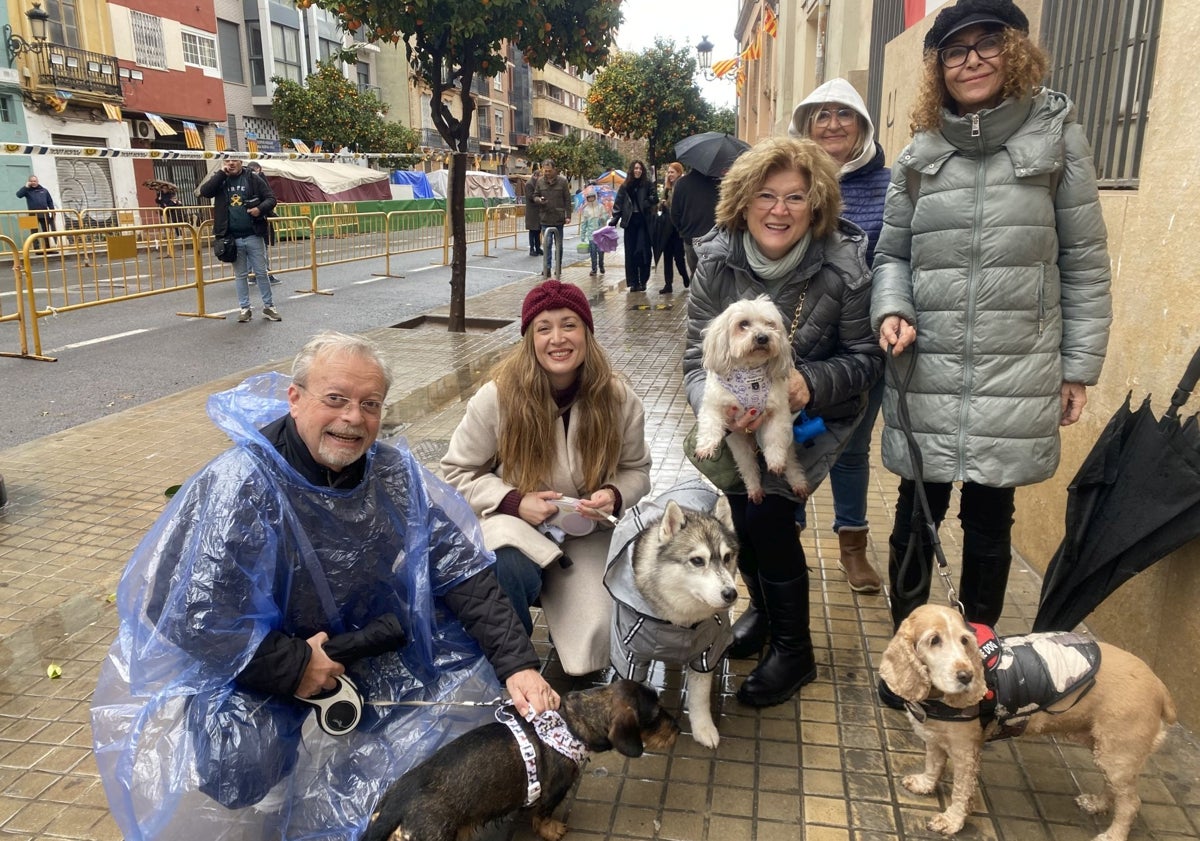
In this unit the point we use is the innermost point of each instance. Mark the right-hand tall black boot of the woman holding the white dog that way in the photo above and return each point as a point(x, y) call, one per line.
point(789, 664)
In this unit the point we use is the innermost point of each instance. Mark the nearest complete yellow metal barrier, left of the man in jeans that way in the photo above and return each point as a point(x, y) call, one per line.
point(63, 281)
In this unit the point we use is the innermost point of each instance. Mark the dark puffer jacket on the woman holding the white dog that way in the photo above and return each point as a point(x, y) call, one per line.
point(833, 347)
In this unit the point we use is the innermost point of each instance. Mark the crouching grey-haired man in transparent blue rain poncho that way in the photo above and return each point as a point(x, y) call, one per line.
point(305, 533)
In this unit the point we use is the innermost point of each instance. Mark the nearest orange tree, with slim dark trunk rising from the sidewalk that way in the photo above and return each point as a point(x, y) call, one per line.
point(451, 44)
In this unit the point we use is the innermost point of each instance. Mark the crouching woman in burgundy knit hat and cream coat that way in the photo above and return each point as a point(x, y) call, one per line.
point(547, 454)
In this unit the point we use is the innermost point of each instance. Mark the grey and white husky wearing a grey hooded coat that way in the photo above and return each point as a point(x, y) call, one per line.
point(671, 573)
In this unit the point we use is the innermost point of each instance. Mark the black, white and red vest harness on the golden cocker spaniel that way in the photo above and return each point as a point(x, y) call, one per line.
point(1025, 675)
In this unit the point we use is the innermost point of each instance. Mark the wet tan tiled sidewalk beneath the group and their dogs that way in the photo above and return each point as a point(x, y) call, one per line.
point(825, 767)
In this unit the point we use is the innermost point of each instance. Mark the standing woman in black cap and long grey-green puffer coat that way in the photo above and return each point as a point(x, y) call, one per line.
point(992, 284)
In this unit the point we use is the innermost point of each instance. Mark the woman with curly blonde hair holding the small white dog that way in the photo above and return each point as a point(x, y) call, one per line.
point(779, 235)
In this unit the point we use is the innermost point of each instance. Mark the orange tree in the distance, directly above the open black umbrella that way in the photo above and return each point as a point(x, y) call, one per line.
point(652, 97)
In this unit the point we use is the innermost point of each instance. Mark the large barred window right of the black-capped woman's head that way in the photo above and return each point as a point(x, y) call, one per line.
point(1103, 58)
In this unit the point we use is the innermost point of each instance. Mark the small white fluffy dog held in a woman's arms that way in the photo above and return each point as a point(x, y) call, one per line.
point(748, 361)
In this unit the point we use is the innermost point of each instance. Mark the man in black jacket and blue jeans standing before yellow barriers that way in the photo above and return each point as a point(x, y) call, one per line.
point(242, 202)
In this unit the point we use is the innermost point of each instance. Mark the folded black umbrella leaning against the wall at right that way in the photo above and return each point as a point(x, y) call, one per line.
point(1135, 501)
